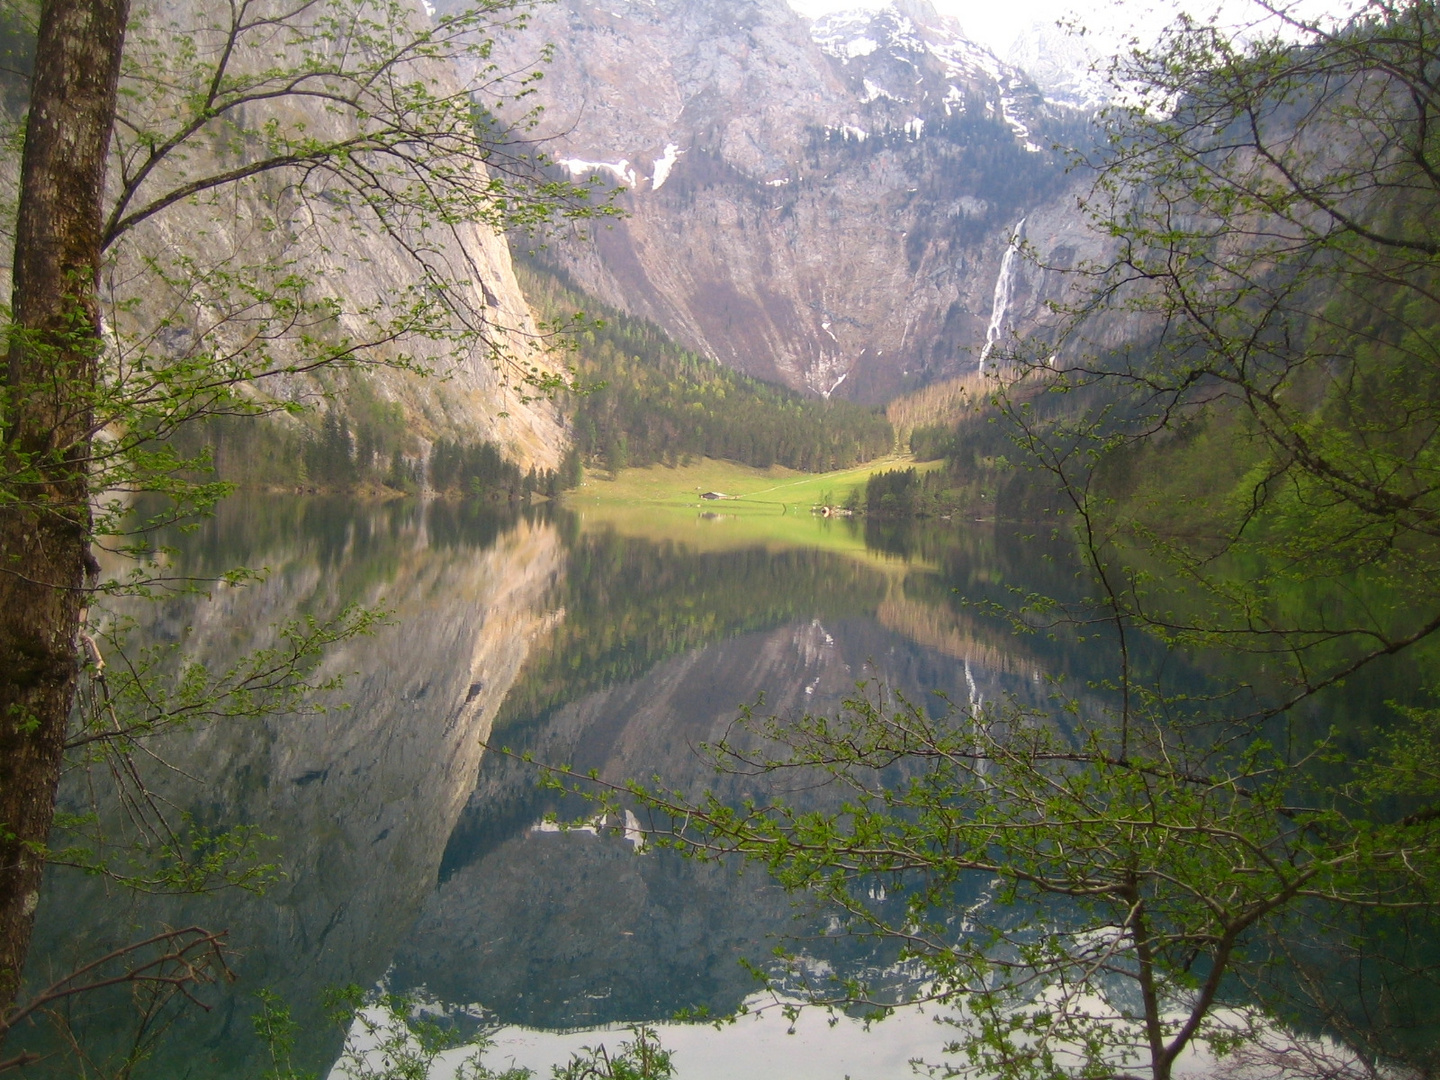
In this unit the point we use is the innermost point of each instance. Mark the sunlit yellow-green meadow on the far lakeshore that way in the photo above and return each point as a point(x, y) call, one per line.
point(761, 508)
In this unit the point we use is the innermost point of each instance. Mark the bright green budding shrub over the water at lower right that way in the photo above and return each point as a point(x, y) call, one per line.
point(1085, 902)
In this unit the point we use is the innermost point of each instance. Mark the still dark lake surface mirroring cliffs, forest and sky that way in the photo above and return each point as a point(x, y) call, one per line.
point(410, 856)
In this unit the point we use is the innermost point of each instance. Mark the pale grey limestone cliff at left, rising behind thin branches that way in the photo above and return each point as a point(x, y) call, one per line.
point(267, 271)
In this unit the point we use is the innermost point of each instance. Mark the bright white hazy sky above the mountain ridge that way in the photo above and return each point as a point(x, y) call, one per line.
point(997, 22)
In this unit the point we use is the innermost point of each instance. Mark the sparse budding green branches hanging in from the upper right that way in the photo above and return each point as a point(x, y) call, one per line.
point(1258, 472)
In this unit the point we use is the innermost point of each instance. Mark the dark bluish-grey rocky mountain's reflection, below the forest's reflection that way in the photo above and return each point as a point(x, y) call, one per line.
point(564, 930)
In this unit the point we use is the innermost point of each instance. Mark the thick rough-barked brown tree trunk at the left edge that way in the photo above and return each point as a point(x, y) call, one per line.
point(48, 417)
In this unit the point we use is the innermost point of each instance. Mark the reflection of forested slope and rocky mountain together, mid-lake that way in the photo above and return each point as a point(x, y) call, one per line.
point(660, 650)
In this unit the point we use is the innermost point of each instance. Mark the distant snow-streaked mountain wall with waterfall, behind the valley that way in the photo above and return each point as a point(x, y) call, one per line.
point(823, 205)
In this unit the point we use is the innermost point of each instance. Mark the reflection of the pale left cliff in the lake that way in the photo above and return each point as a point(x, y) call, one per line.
point(361, 800)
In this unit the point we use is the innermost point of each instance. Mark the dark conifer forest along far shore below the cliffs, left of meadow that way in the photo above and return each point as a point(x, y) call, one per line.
point(642, 401)
